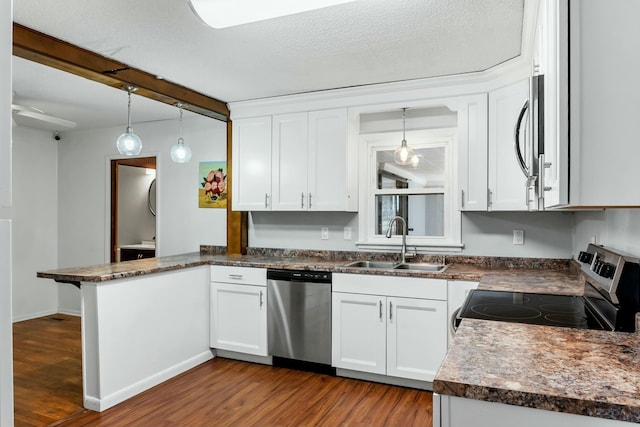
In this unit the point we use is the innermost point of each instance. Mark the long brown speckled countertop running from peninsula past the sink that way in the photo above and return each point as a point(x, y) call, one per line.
point(459, 268)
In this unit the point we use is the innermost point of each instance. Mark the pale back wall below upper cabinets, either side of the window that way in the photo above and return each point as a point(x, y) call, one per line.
point(547, 234)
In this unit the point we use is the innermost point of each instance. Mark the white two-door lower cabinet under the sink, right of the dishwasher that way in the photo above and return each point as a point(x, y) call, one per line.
point(398, 336)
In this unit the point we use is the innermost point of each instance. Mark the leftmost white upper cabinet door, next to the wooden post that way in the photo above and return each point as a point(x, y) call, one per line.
point(251, 164)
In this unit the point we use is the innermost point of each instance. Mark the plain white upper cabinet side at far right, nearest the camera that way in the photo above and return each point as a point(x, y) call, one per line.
point(605, 103)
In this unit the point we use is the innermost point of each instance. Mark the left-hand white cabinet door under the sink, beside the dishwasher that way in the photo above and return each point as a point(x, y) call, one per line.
point(358, 331)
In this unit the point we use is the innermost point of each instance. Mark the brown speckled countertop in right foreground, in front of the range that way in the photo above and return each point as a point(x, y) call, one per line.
point(585, 372)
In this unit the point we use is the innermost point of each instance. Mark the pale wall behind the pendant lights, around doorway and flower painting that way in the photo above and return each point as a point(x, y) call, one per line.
point(83, 227)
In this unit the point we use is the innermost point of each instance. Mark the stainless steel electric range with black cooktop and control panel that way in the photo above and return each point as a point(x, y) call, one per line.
point(610, 302)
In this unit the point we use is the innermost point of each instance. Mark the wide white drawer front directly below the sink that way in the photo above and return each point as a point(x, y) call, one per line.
point(394, 286)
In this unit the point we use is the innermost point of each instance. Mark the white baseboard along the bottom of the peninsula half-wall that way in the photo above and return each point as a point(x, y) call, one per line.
point(100, 404)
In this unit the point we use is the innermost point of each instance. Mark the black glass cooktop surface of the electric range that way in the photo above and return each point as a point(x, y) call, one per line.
point(536, 309)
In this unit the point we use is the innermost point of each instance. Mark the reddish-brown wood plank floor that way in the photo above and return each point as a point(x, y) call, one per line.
point(225, 392)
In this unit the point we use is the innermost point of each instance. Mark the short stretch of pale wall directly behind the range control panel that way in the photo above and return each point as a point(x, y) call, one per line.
point(617, 228)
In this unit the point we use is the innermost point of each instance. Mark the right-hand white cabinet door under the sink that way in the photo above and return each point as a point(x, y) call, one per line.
point(416, 337)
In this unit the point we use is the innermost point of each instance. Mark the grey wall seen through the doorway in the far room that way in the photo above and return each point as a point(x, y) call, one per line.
point(135, 221)
